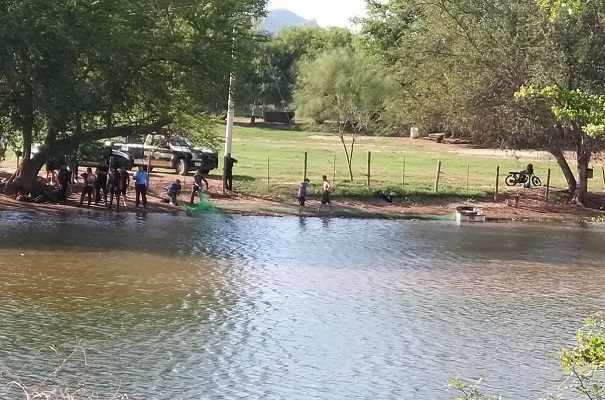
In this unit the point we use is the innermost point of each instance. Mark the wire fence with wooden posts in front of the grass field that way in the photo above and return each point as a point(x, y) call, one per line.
point(399, 172)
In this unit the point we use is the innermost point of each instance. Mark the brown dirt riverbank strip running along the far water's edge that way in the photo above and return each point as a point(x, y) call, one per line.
point(531, 205)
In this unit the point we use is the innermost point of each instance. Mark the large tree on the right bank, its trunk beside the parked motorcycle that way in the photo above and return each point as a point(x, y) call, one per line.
point(460, 63)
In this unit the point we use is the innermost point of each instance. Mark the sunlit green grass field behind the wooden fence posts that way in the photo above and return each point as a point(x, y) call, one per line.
point(271, 163)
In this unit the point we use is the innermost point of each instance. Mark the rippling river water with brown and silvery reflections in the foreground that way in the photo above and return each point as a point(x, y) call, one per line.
point(285, 308)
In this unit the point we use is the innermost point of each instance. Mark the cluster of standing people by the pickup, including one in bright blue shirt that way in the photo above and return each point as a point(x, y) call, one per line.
point(113, 182)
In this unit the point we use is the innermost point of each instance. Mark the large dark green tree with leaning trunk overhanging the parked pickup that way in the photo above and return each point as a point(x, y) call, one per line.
point(73, 71)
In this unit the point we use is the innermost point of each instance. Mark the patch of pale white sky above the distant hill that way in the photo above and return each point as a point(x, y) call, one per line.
point(326, 12)
